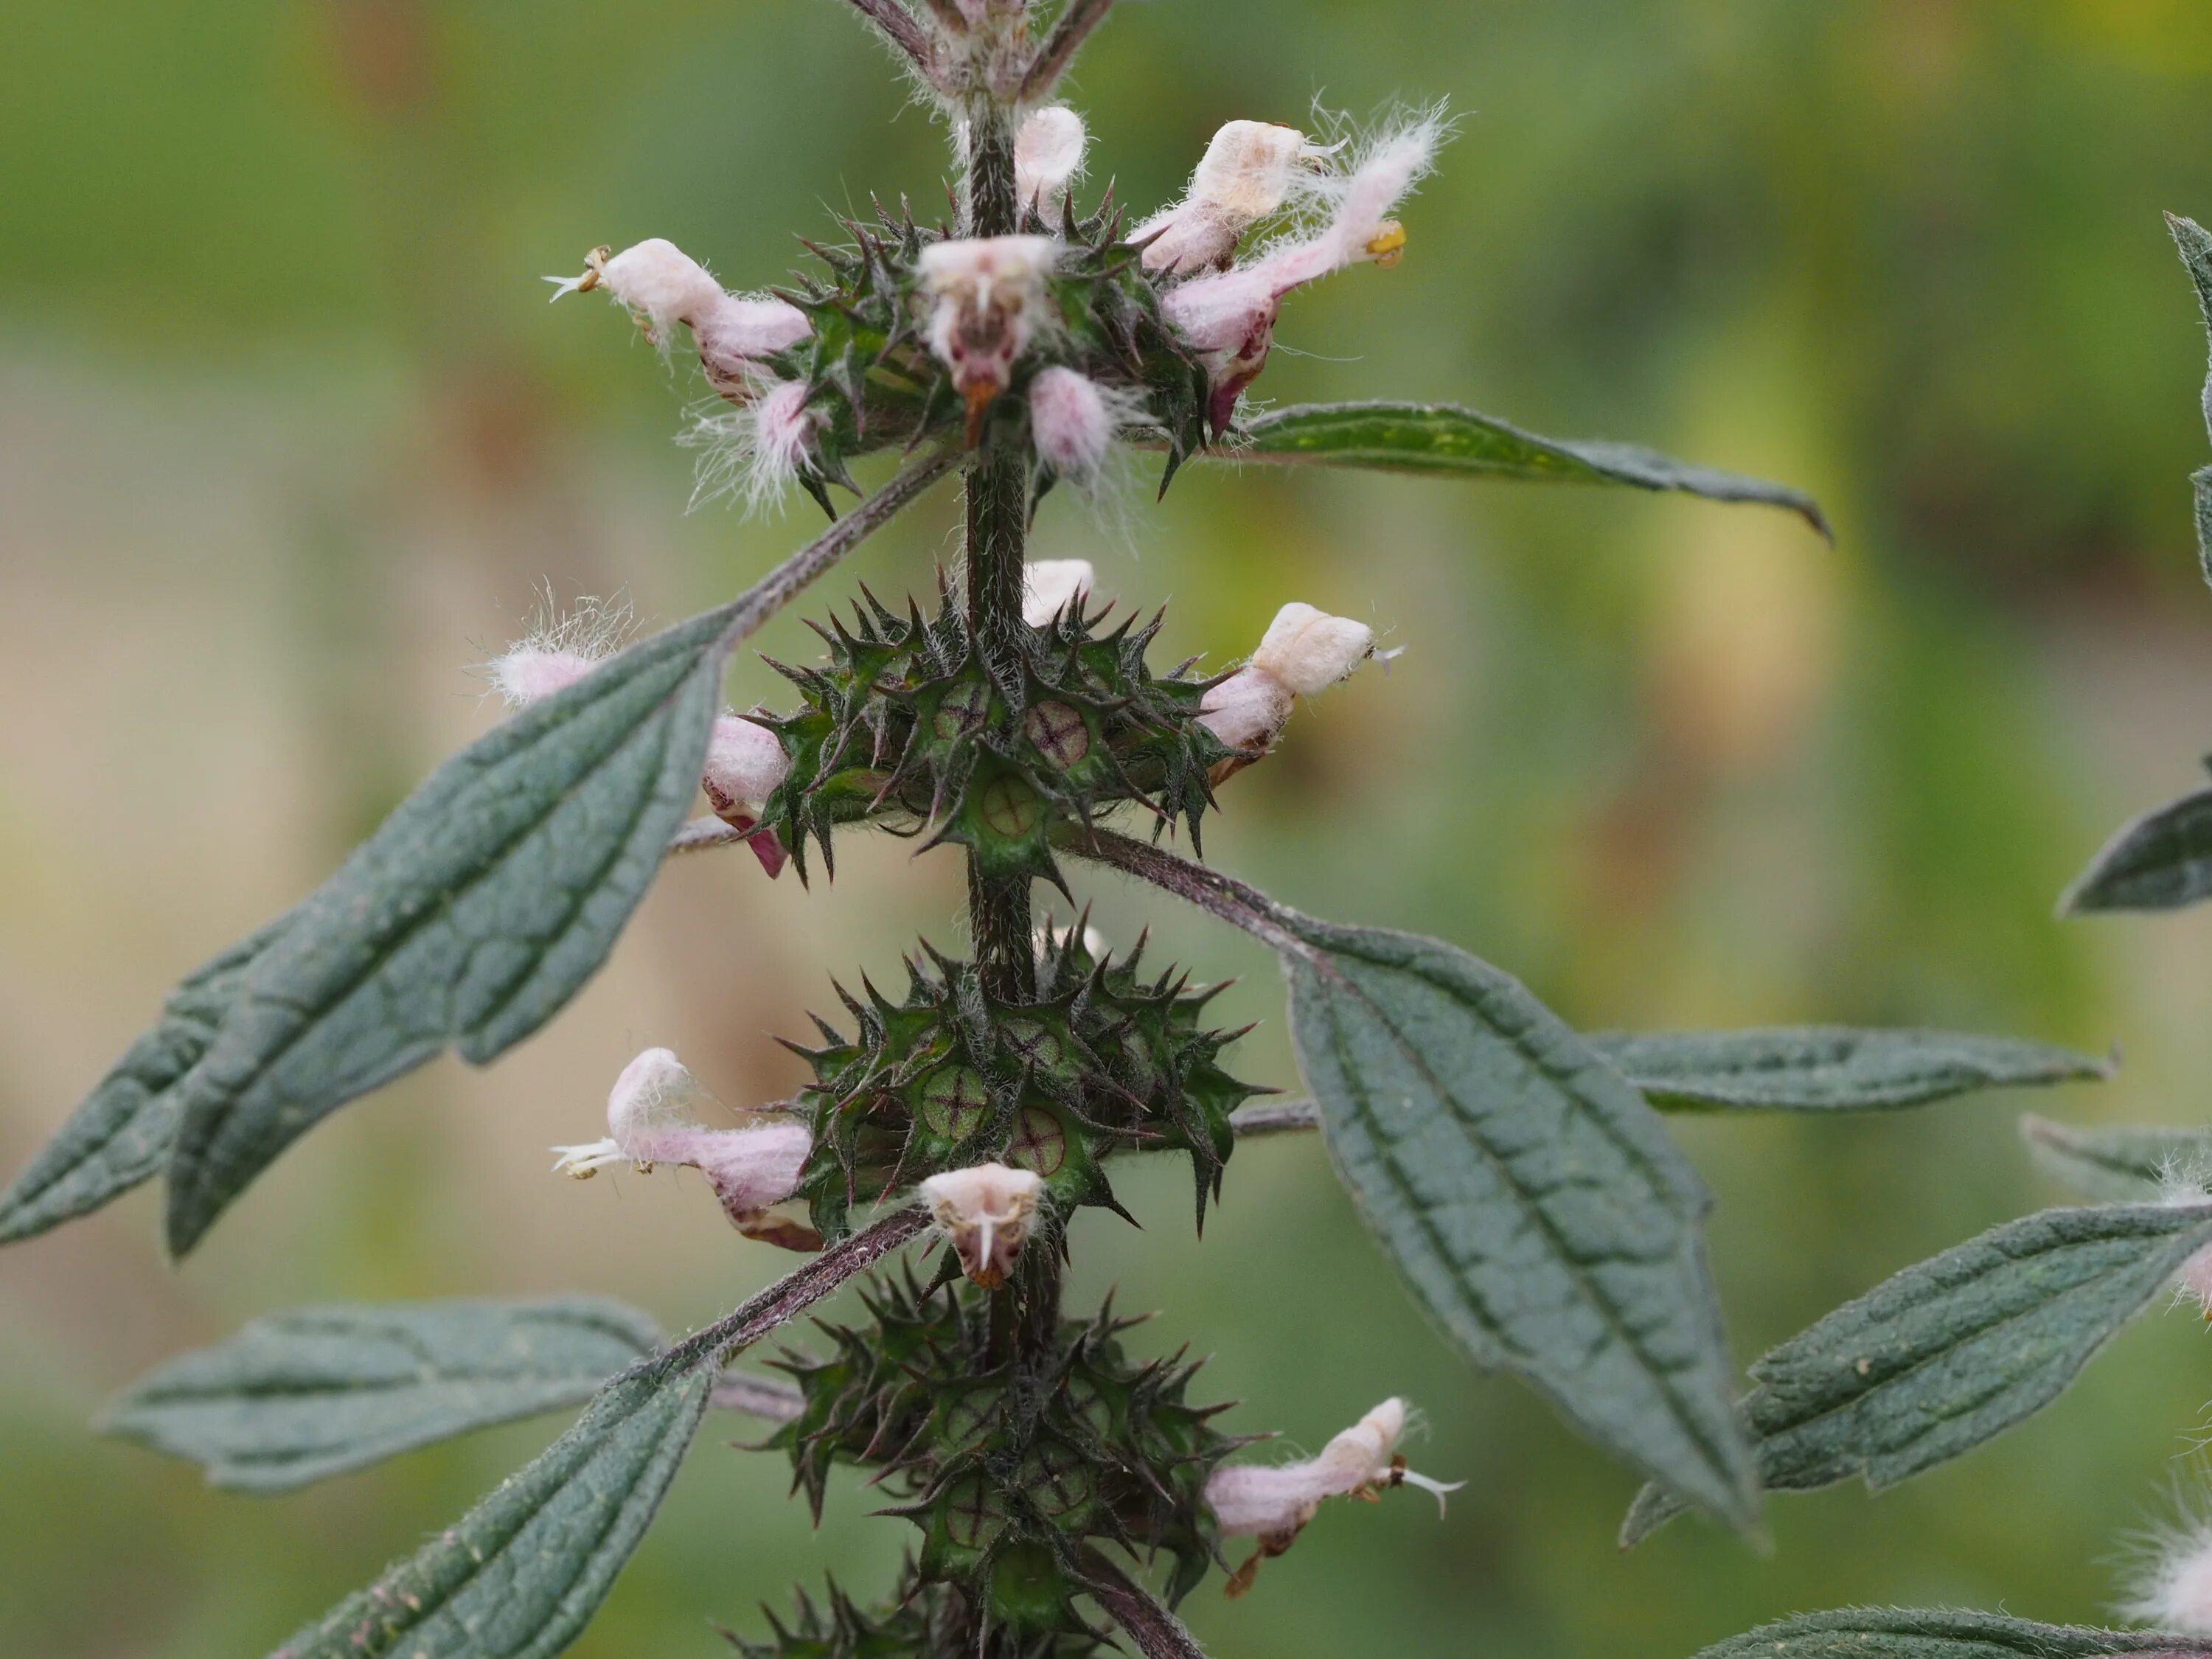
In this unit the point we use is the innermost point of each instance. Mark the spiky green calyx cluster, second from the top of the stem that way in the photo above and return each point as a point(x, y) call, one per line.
point(915, 729)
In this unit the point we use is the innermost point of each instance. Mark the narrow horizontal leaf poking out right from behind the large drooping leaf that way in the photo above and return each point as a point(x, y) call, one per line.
point(1830, 1070)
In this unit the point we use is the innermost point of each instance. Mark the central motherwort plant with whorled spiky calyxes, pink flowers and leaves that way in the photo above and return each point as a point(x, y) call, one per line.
point(1061, 1488)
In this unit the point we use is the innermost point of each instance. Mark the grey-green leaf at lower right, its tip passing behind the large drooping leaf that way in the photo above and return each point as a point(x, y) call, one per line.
point(1957, 1350)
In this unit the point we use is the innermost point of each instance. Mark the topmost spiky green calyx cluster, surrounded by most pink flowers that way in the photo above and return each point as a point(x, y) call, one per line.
point(873, 382)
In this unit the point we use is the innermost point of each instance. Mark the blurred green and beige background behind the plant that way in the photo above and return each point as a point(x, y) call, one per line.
point(289, 439)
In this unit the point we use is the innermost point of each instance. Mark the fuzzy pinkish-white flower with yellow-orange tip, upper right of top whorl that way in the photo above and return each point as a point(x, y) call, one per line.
point(1229, 320)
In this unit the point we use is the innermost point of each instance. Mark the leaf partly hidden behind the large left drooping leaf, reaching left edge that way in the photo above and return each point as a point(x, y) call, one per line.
point(123, 1131)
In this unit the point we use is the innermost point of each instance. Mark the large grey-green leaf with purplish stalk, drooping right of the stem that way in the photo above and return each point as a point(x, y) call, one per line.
point(1530, 1196)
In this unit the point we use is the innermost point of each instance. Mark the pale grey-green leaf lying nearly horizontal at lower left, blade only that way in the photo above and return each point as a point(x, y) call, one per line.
point(322, 1390)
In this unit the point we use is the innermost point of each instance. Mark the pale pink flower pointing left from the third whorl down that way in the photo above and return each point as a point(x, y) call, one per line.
point(649, 1120)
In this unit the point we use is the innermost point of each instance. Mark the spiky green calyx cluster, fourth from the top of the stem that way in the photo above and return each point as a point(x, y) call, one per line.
point(1014, 1465)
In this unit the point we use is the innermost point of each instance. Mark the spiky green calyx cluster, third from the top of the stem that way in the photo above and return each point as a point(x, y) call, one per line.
point(1103, 1061)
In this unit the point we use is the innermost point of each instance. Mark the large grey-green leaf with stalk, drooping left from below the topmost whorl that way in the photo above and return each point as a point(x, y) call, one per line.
point(486, 901)
